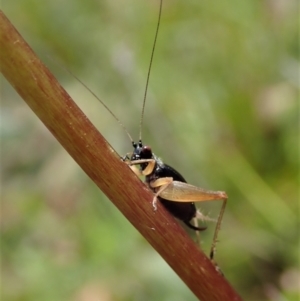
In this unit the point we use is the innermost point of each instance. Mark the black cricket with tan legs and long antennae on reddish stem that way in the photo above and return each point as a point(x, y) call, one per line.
point(169, 187)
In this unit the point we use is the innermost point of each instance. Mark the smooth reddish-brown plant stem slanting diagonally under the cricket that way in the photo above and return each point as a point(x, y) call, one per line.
point(49, 101)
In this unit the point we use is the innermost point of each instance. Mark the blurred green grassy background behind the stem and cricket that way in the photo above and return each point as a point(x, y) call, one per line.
point(222, 109)
